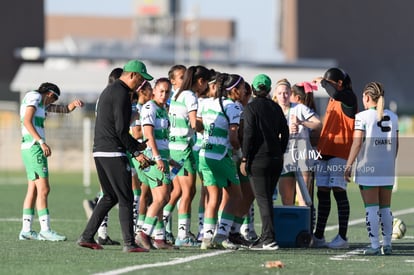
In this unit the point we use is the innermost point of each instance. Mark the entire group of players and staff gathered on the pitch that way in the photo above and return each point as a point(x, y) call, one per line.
point(152, 142)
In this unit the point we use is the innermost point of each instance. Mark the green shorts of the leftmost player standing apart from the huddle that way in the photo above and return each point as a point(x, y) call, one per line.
point(35, 162)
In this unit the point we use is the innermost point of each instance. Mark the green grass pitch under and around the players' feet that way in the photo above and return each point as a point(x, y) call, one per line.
point(68, 217)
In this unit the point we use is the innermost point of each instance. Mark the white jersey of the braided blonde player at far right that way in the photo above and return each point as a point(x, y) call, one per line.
point(375, 164)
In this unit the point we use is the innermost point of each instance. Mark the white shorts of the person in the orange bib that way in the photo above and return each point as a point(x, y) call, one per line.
point(330, 173)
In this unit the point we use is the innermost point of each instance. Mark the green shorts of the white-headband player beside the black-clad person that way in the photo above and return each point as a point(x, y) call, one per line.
point(219, 173)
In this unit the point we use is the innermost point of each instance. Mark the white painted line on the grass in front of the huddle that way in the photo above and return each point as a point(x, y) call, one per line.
point(174, 262)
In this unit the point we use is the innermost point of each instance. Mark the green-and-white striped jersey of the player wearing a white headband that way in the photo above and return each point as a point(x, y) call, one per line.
point(216, 142)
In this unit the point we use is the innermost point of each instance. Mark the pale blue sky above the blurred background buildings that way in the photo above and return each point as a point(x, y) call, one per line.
point(256, 24)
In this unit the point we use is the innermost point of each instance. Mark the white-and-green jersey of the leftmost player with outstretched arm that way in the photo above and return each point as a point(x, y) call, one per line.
point(34, 99)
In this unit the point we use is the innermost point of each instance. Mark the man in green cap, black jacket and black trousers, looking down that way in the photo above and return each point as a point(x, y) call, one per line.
point(111, 142)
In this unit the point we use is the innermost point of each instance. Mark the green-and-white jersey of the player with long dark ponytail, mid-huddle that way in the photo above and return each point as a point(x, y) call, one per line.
point(181, 132)
